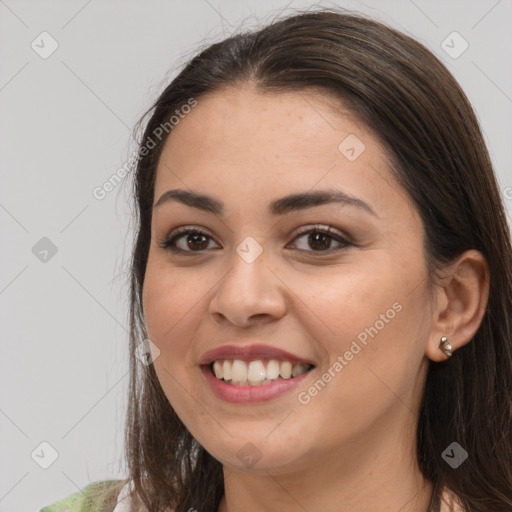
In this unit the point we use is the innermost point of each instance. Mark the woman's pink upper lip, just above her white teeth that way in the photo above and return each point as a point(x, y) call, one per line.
point(249, 353)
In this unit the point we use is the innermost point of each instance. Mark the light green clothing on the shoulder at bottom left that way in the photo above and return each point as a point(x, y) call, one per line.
point(98, 496)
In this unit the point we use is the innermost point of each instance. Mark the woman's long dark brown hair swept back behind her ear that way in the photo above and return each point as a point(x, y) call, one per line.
point(406, 96)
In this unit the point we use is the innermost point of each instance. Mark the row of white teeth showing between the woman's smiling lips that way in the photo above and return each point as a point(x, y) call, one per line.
point(257, 372)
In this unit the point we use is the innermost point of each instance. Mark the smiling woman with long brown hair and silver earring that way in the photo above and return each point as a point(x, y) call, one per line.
point(324, 269)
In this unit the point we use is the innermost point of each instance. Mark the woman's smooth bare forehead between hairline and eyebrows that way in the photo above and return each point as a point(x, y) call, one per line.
point(249, 146)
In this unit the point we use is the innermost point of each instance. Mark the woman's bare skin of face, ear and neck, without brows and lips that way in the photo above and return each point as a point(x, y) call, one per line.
point(352, 447)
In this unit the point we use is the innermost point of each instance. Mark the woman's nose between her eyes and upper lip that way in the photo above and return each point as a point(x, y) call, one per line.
point(249, 293)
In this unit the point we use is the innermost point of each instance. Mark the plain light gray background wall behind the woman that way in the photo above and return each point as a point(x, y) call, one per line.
point(66, 124)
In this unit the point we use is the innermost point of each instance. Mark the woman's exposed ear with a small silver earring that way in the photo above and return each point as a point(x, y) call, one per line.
point(461, 298)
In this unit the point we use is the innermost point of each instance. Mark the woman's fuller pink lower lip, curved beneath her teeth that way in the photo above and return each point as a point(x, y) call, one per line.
point(249, 394)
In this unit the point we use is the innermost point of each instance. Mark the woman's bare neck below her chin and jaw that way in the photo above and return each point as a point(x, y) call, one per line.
point(379, 475)
